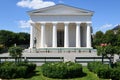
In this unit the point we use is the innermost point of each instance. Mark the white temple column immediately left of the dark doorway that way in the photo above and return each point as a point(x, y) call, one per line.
point(54, 38)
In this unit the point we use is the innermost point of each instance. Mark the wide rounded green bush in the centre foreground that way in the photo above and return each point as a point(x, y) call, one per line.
point(62, 70)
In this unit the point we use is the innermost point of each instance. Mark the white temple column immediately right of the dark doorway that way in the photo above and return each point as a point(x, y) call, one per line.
point(66, 35)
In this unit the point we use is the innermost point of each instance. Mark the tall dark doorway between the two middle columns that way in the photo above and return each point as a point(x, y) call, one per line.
point(60, 38)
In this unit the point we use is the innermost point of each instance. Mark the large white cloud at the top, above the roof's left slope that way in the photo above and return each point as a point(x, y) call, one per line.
point(35, 4)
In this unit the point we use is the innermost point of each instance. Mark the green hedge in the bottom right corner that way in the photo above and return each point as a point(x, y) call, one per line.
point(104, 71)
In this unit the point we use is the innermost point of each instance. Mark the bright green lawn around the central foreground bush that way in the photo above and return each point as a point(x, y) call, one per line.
point(39, 76)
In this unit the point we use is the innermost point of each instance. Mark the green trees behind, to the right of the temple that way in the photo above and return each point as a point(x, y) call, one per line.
point(109, 37)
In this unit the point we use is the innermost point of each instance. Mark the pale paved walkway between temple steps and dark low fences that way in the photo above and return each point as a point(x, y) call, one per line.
point(67, 56)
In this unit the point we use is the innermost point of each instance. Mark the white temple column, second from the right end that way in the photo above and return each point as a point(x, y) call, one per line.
point(78, 35)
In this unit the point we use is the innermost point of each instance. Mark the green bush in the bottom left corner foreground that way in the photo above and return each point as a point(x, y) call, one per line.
point(9, 70)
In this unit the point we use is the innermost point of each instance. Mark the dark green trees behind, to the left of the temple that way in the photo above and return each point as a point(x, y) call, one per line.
point(9, 38)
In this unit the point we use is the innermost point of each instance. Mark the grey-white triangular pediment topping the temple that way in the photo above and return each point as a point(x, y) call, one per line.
point(60, 9)
